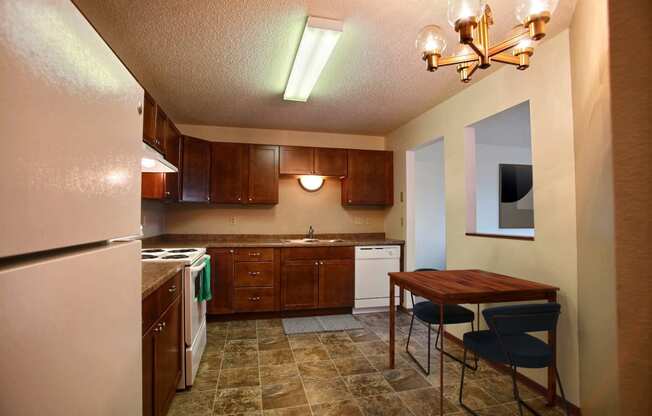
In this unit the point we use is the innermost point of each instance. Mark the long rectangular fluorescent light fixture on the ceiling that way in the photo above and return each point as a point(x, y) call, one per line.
point(317, 43)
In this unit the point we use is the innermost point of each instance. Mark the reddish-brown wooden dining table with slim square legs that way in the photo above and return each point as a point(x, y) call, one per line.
point(469, 287)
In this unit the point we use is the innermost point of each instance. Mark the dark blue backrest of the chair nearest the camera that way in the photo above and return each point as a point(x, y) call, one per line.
point(519, 319)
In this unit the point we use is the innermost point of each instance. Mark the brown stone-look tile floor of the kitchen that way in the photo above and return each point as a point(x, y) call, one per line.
point(251, 368)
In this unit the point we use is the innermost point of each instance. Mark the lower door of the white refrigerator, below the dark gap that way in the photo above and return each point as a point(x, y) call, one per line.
point(70, 334)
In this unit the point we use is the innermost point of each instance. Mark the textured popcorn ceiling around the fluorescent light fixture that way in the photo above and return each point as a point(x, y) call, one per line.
point(226, 62)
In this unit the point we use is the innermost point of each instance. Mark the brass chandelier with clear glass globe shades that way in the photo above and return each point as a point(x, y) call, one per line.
point(471, 20)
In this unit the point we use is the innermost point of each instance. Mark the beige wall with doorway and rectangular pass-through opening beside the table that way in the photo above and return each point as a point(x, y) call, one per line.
point(552, 257)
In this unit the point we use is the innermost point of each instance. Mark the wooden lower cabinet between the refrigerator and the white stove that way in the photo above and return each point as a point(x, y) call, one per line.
point(162, 345)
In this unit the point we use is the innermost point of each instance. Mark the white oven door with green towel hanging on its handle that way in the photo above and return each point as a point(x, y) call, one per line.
point(194, 310)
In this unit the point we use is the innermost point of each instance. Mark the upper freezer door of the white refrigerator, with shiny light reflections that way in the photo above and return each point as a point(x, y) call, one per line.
point(71, 132)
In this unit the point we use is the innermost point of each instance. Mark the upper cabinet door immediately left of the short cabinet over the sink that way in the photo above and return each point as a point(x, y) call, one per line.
point(263, 174)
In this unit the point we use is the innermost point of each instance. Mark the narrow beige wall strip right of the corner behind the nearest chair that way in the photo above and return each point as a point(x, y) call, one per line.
point(595, 208)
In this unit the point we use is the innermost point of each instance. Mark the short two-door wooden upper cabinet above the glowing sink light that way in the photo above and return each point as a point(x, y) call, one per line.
point(313, 161)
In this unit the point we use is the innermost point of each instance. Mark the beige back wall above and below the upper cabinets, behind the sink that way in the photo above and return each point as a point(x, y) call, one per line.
point(296, 210)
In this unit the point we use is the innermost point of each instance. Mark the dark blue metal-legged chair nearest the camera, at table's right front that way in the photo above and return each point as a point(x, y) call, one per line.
point(507, 342)
